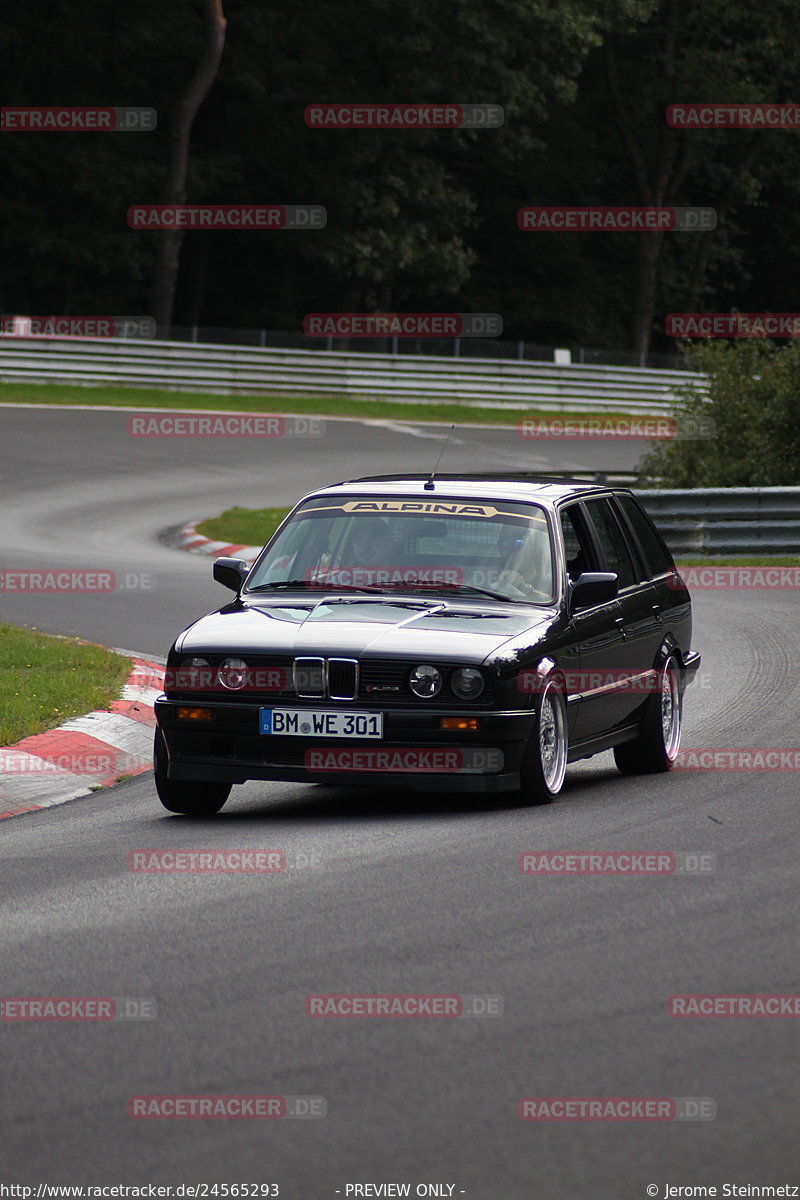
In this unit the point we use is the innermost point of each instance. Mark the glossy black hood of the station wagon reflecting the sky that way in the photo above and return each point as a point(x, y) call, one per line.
point(354, 627)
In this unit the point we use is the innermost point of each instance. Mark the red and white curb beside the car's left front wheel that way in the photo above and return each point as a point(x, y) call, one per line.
point(86, 753)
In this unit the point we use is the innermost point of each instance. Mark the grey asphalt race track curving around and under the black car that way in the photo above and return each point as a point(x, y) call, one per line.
point(410, 895)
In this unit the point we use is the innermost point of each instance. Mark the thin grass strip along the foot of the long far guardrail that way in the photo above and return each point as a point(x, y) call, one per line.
point(318, 406)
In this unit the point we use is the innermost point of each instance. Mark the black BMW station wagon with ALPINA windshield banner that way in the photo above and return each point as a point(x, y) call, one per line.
point(462, 633)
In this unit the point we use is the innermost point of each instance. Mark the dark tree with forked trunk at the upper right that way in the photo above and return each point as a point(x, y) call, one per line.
point(709, 52)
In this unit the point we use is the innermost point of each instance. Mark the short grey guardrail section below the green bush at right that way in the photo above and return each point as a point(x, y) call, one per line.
point(720, 521)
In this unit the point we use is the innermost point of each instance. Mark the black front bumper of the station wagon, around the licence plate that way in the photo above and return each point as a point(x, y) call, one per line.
point(413, 753)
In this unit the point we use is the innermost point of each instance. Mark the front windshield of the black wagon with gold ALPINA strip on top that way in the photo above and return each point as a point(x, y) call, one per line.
point(390, 545)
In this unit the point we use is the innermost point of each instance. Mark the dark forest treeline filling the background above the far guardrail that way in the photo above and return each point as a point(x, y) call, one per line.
point(417, 221)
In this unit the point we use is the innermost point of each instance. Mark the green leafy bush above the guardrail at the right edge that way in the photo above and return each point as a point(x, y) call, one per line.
point(753, 404)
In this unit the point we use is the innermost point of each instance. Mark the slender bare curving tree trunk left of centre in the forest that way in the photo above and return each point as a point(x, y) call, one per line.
point(170, 241)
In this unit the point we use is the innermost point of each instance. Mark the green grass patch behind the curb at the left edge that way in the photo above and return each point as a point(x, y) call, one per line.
point(45, 681)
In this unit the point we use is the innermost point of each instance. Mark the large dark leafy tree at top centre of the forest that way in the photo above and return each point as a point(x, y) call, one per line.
point(404, 206)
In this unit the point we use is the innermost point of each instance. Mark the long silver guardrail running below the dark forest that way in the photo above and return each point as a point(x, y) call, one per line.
point(187, 367)
